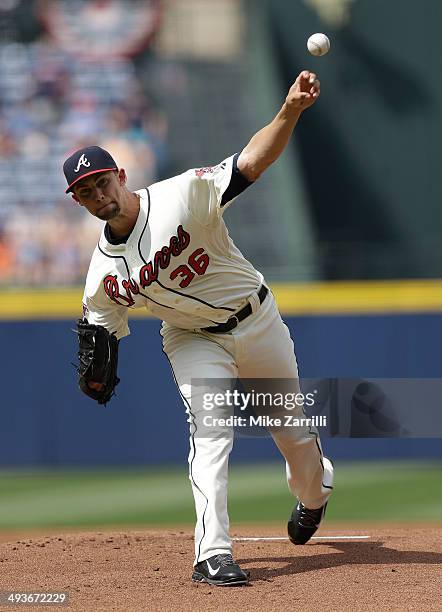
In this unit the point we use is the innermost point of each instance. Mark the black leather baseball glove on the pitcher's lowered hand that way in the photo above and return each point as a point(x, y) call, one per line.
point(98, 360)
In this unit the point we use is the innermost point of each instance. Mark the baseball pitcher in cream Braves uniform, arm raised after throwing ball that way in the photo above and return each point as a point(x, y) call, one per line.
point(166, 248)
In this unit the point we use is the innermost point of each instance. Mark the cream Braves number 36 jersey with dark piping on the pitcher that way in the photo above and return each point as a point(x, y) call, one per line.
point(179, 261)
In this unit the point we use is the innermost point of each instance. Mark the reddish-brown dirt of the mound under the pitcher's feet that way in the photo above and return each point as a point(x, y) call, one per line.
point(396, 568)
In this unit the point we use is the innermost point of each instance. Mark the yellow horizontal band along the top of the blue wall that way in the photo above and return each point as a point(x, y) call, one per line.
point(294, 299)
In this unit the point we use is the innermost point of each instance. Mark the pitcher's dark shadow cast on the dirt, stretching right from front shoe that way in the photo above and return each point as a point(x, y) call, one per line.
point(346, 553)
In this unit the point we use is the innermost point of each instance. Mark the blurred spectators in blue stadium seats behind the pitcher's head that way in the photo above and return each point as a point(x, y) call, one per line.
point(51, 103)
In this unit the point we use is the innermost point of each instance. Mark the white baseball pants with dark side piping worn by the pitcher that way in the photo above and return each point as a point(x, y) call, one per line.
point(260, 347)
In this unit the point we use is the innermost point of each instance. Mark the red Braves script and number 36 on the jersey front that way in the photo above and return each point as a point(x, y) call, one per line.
point(196, 264)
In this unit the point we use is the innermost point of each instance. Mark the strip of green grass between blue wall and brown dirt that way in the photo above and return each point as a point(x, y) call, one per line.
point(399, 491)
